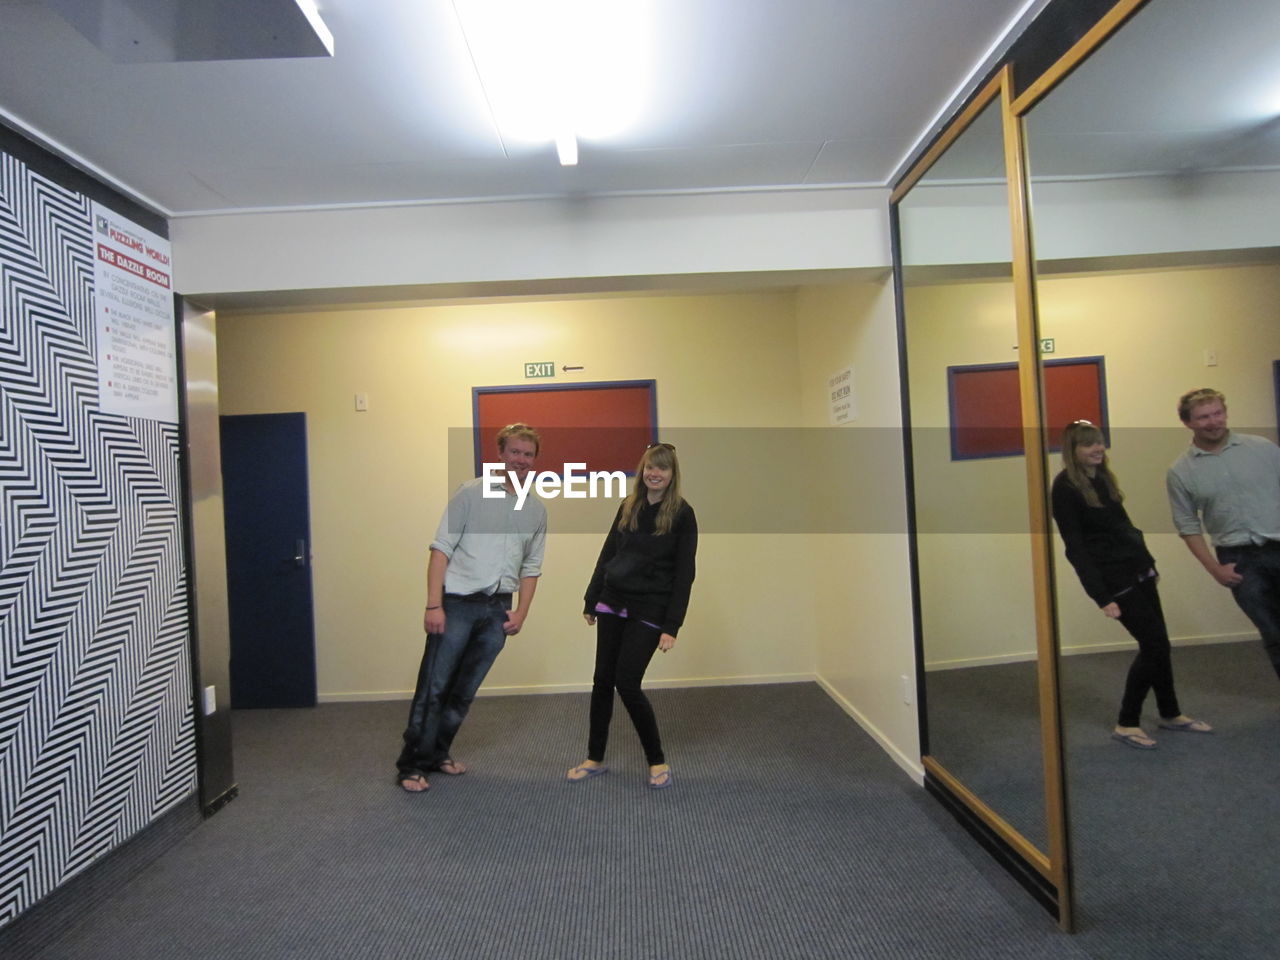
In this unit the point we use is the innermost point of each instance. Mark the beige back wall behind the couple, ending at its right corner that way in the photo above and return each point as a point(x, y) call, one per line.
point(381, 479)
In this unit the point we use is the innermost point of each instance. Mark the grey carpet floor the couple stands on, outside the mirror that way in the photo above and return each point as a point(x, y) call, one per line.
point(788, 834)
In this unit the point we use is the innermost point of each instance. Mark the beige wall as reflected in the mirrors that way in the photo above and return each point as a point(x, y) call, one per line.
point(1153, 327)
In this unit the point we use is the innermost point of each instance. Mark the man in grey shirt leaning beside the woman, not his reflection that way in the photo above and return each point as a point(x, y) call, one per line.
point(486, 548)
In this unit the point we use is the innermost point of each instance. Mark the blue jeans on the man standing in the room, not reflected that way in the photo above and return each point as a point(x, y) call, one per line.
point(455, 664)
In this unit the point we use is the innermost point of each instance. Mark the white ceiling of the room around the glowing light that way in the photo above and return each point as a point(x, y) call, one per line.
point(753, 94)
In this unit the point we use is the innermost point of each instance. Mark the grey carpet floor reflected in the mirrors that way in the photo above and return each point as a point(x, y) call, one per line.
point(1174, 851)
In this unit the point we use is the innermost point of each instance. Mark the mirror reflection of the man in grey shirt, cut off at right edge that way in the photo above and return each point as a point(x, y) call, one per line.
point(1228, 486)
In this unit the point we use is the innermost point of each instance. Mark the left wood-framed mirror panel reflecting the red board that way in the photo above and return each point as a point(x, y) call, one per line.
point(989, 728)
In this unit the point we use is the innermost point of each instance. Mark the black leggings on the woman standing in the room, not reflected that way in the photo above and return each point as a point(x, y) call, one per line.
point(623, 652)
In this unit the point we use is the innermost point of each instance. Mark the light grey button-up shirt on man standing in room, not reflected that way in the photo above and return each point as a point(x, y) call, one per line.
point(490, 543)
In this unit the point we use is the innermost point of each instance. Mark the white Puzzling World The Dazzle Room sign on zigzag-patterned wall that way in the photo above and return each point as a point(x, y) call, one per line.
point(134, 304)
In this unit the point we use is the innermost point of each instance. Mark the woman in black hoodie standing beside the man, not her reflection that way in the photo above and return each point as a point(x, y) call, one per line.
point(637, 601)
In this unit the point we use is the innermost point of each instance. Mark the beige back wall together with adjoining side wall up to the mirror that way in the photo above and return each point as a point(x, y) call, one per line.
point(813, 584)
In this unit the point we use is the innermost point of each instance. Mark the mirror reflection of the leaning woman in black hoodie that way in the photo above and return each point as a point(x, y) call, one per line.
point(1118, 573)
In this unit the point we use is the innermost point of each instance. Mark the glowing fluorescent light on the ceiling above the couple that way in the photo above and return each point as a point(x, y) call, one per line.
point(561, 71)
